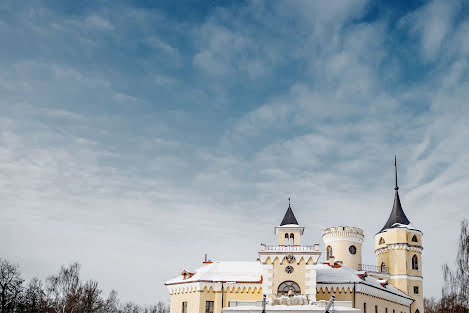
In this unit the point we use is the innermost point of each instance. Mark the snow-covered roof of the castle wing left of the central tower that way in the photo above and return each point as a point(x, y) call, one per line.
point(226, 271)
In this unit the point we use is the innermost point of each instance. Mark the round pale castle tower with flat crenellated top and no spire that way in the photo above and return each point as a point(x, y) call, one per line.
point(344, 244)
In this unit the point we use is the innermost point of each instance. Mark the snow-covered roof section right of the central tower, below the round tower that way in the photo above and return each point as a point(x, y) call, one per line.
point(326, 274)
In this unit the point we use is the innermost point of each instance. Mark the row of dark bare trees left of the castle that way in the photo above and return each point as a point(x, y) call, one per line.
point(61, 293)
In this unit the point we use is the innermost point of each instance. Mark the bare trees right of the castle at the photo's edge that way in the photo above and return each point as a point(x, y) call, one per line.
point(455, 291)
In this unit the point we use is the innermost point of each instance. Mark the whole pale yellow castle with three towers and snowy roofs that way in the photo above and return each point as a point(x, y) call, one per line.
point(288, 277)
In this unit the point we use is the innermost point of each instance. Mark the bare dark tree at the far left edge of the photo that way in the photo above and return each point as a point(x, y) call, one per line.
point(10, 286)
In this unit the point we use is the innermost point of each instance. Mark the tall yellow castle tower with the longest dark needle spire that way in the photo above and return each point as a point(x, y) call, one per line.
point(398, 249)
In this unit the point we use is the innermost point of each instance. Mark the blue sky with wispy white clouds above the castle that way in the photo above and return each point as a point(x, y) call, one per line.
point(137, 136)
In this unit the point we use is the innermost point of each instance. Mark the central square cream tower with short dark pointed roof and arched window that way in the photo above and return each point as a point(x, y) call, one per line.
point(289, 265)
